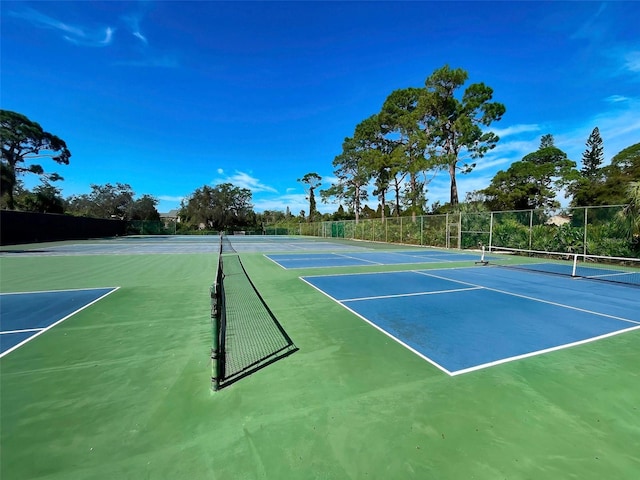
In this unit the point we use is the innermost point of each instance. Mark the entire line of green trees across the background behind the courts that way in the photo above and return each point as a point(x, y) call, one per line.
point(392, 155)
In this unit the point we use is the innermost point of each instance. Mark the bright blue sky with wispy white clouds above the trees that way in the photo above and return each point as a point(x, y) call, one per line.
point(170, 96)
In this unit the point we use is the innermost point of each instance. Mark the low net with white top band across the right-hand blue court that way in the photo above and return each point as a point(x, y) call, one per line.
point(594, 267)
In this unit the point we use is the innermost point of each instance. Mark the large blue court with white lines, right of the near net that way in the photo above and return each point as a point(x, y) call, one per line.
point(465, 319)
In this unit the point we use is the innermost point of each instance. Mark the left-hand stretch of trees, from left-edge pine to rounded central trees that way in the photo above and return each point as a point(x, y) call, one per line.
point(24, 142)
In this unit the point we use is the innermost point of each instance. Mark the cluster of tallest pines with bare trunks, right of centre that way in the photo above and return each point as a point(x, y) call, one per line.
point(417, 131)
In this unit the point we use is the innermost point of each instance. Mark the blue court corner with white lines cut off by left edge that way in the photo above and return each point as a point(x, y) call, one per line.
point(24, 316)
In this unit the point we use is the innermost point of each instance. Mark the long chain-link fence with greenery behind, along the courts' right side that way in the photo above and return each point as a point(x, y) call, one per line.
point(606, 230)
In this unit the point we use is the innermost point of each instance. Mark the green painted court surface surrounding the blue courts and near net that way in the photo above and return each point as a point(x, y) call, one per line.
point(122, 390)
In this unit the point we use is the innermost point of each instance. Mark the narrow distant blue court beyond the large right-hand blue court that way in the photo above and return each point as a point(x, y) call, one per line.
point(352, 259)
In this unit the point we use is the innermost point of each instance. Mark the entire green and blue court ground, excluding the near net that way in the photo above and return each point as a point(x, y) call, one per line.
point(407, 365)
